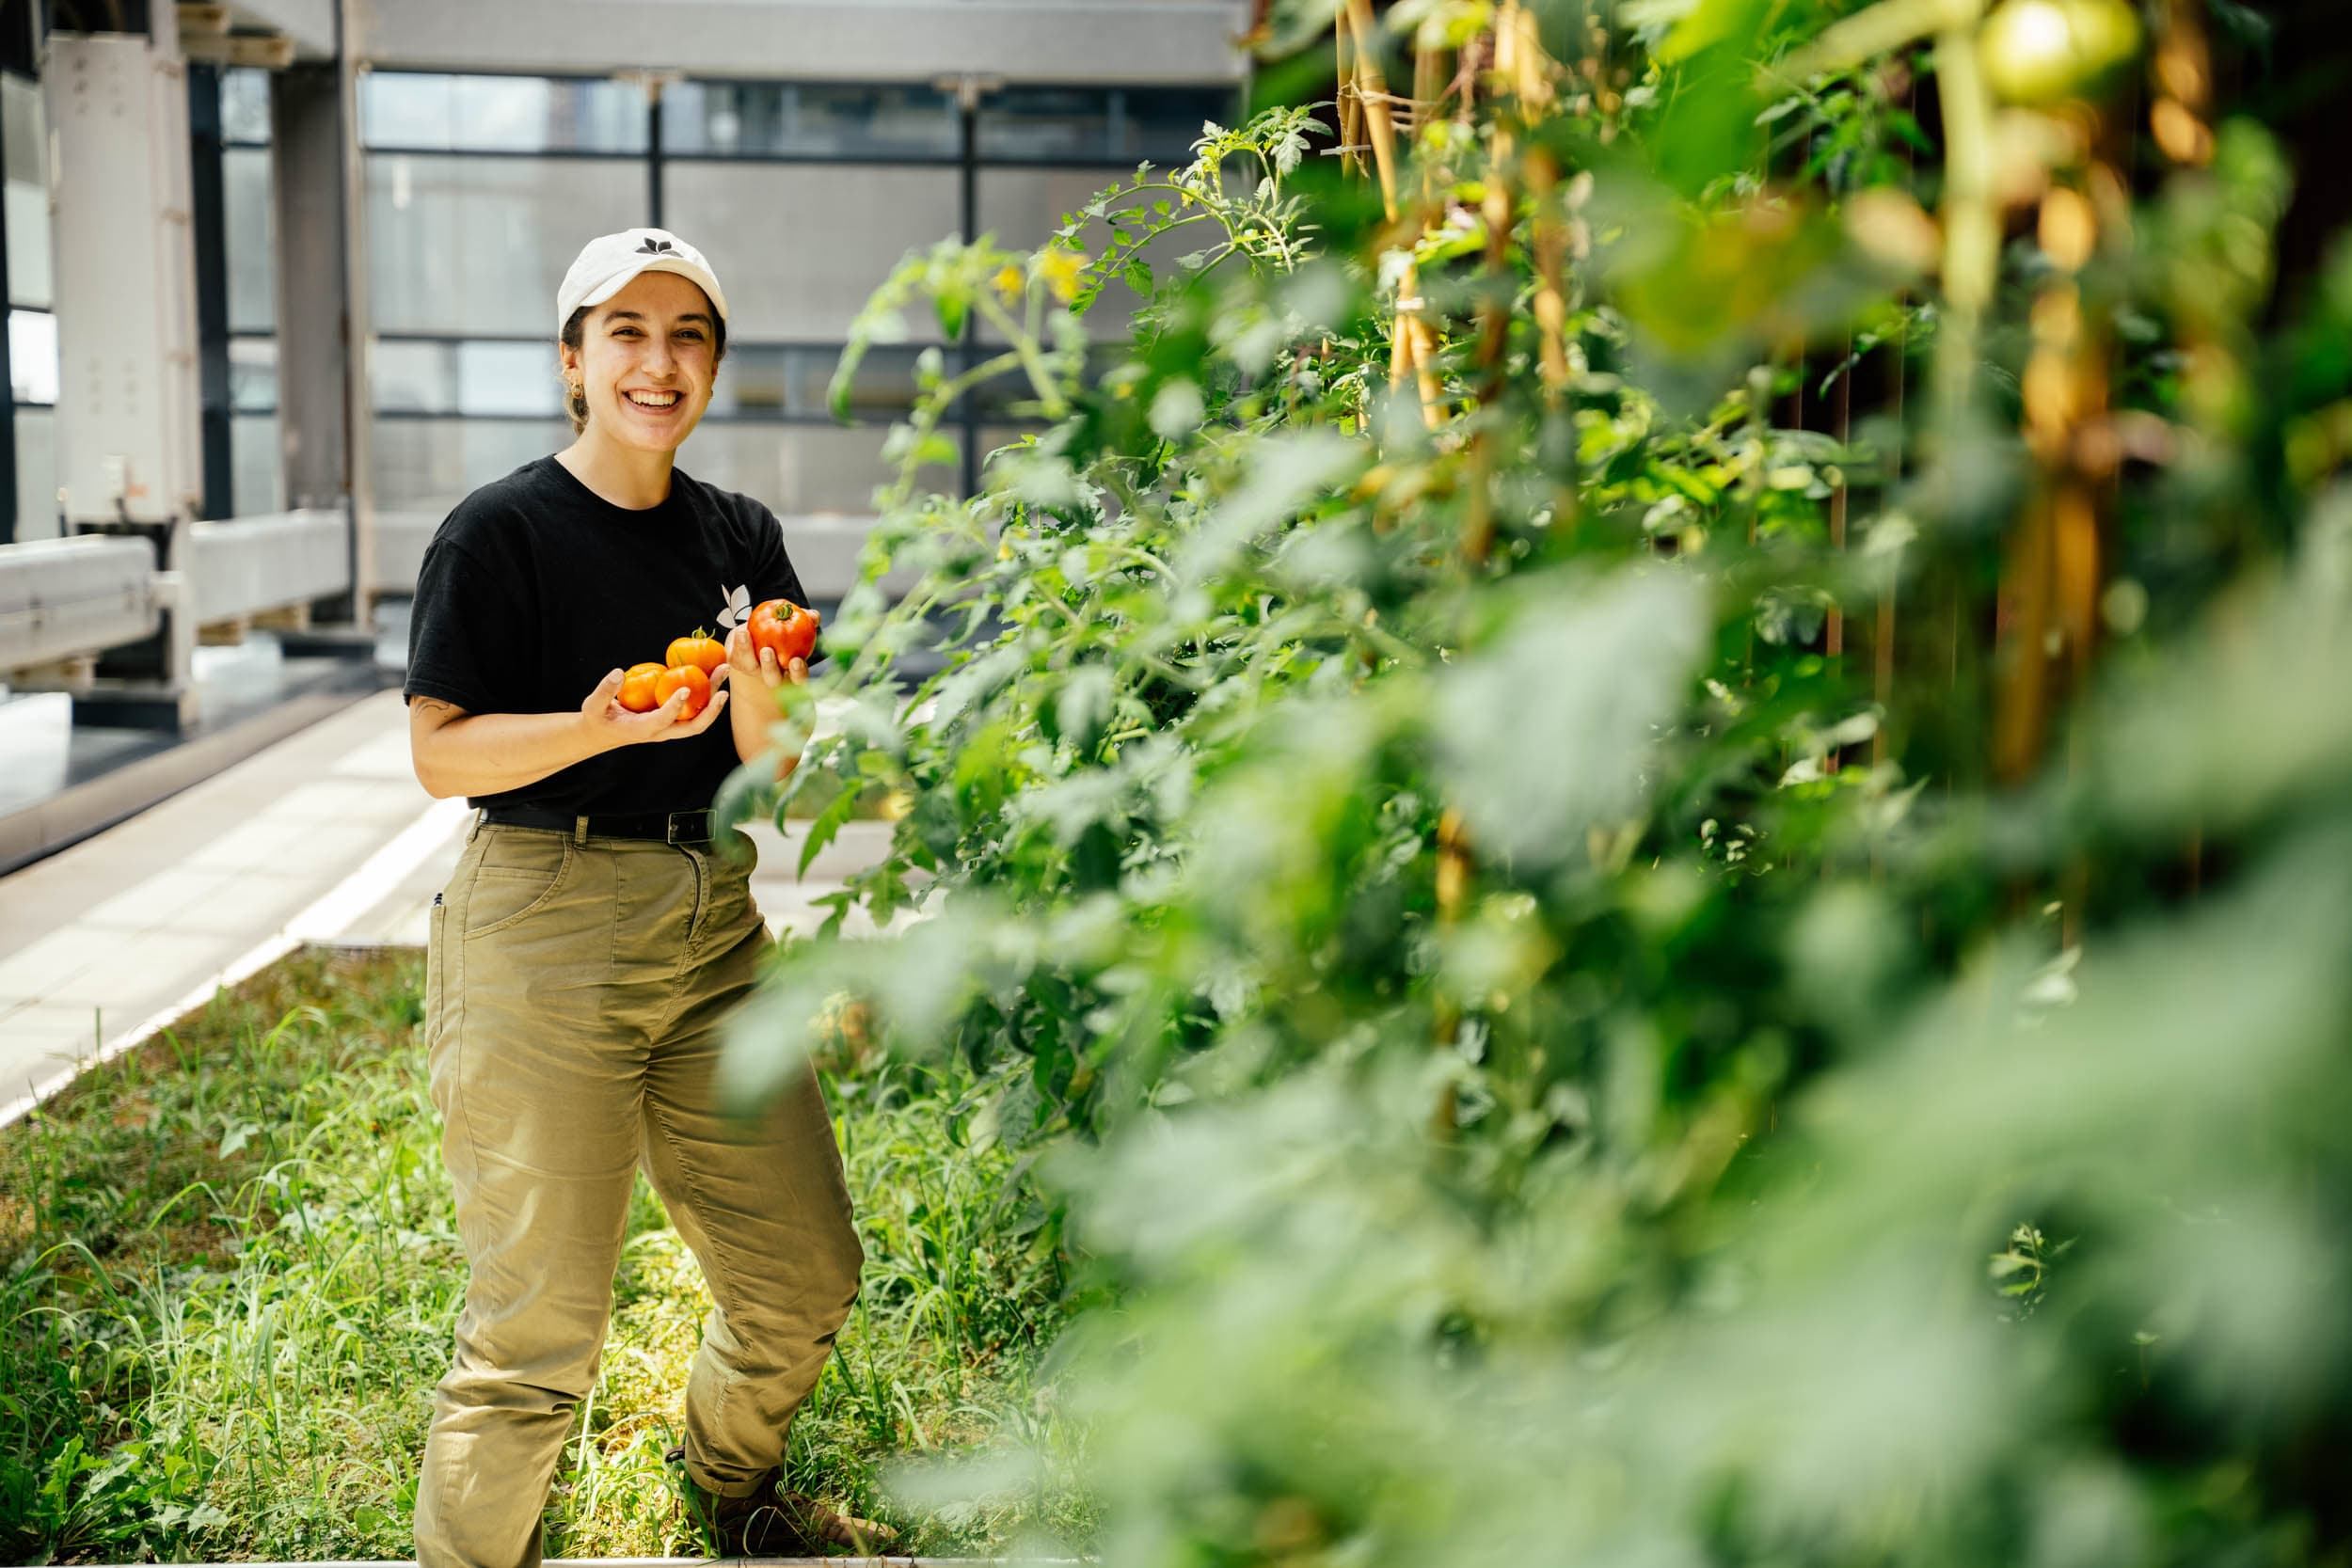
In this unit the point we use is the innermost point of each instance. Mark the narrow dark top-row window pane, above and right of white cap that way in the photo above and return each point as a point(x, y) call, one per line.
point(817, 121)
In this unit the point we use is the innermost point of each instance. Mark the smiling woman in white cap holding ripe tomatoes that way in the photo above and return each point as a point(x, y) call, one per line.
point(596, 937)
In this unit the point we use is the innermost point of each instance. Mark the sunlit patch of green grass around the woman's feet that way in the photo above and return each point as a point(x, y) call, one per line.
point(229, 1280)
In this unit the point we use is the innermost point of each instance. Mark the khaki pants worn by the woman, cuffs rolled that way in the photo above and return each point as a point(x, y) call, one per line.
point(577, 991)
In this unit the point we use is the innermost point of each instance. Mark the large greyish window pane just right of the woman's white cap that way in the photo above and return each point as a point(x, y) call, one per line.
point(810, 243)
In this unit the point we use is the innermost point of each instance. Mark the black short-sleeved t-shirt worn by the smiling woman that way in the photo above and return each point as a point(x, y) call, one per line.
point(535, 587)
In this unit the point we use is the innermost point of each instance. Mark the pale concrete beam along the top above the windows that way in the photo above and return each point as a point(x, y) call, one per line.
point(874, 41)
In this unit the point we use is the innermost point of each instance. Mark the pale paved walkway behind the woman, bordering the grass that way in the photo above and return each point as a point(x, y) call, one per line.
point(321, 838)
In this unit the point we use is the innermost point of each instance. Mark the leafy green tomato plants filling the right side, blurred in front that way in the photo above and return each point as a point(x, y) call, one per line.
point(1535, 1043)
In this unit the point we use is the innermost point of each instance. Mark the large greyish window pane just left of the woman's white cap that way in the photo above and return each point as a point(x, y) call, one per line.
point(476, 246)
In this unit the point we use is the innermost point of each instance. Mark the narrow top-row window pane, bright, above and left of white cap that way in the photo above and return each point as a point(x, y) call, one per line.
point(500, 114)
